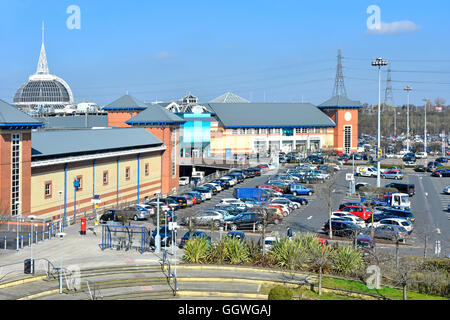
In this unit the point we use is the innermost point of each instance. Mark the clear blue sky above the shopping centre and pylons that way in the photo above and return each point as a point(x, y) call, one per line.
point(283, 50)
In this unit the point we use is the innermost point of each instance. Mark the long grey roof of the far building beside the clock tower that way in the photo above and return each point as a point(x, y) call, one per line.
point(266, 115)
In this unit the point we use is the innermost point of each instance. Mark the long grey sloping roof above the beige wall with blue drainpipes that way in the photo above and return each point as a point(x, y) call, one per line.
point(63, 142)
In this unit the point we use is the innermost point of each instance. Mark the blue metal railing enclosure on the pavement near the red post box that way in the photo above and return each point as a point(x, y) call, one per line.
point(125, 238)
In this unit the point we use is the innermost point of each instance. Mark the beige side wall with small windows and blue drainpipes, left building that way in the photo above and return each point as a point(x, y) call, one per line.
point(43, 206)
